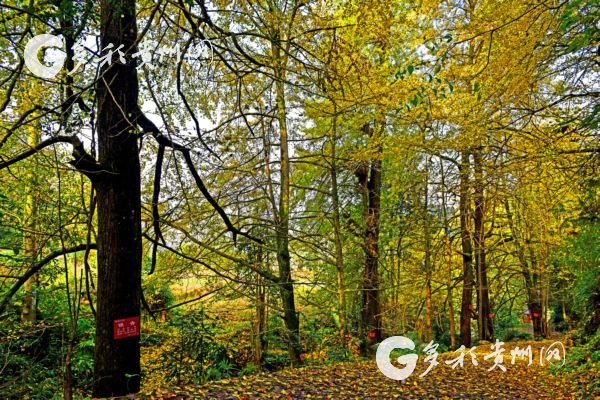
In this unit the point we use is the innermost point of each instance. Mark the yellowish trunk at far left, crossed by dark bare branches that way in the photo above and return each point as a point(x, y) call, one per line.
point(29, 311)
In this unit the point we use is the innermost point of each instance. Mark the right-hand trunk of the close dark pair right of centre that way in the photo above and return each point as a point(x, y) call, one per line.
point(483, 307)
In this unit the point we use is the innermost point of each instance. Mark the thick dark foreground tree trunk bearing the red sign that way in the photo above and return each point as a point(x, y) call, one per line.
point(117, 362)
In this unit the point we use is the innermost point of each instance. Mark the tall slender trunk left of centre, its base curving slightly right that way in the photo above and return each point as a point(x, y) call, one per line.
point(286, 286)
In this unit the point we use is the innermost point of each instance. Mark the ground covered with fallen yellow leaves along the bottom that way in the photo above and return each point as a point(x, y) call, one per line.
point(363, 380)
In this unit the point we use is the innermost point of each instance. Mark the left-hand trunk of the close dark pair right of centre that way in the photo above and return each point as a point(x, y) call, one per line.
point(466, 309)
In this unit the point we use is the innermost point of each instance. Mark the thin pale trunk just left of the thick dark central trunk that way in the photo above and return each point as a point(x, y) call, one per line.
point(337, 233)
